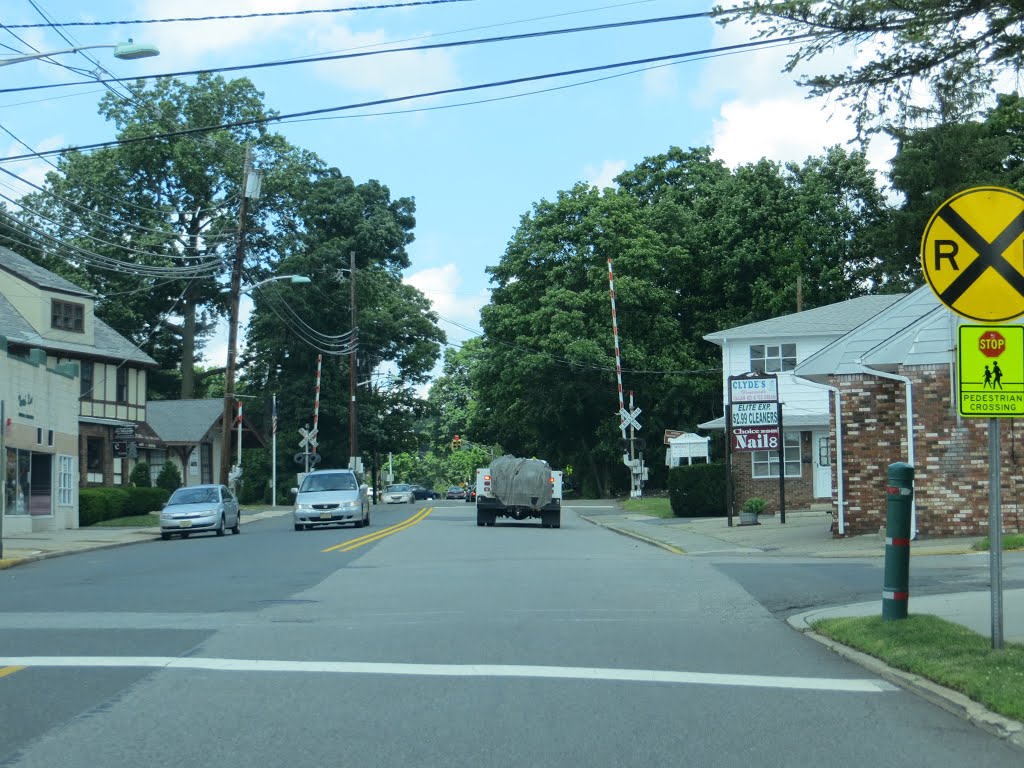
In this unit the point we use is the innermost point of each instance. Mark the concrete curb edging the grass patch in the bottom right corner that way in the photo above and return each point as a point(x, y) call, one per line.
point(953, 702)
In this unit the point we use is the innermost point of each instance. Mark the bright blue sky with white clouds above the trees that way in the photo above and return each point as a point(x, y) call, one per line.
point(475, 169)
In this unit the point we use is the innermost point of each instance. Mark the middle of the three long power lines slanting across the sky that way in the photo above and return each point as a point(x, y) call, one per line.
point(407, 50)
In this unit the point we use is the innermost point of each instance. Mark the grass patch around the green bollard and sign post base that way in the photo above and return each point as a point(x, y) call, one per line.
point(945, 653)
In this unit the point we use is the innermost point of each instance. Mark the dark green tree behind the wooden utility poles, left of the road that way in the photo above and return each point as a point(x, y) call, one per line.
point(292, 326)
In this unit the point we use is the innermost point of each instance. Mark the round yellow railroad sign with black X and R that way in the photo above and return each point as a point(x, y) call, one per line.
point(973, 254)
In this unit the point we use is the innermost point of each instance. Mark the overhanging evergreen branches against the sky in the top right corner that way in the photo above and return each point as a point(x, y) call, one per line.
point(945, 44)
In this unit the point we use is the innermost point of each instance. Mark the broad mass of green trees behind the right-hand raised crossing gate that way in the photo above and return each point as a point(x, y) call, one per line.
point(696, 247)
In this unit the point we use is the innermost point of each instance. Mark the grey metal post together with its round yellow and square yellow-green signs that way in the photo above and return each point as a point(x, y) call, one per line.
point(968, 261)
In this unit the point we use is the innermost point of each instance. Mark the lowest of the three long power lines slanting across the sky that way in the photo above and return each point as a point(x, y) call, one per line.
point(428, 95)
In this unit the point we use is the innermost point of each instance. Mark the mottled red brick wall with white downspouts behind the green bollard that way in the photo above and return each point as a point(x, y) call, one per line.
point(951, 456)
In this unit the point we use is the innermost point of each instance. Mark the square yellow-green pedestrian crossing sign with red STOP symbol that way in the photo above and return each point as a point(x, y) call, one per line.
point(991, 368)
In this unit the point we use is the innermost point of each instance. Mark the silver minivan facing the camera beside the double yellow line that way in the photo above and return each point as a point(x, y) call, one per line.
point(331, 497)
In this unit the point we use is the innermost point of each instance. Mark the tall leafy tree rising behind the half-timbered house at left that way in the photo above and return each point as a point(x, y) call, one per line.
point(150, 225)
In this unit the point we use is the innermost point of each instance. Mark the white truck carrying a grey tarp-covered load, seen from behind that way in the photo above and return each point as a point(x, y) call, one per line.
point(519, 489)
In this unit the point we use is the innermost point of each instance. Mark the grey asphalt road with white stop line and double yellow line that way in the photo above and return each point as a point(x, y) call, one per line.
point(433, 644)
